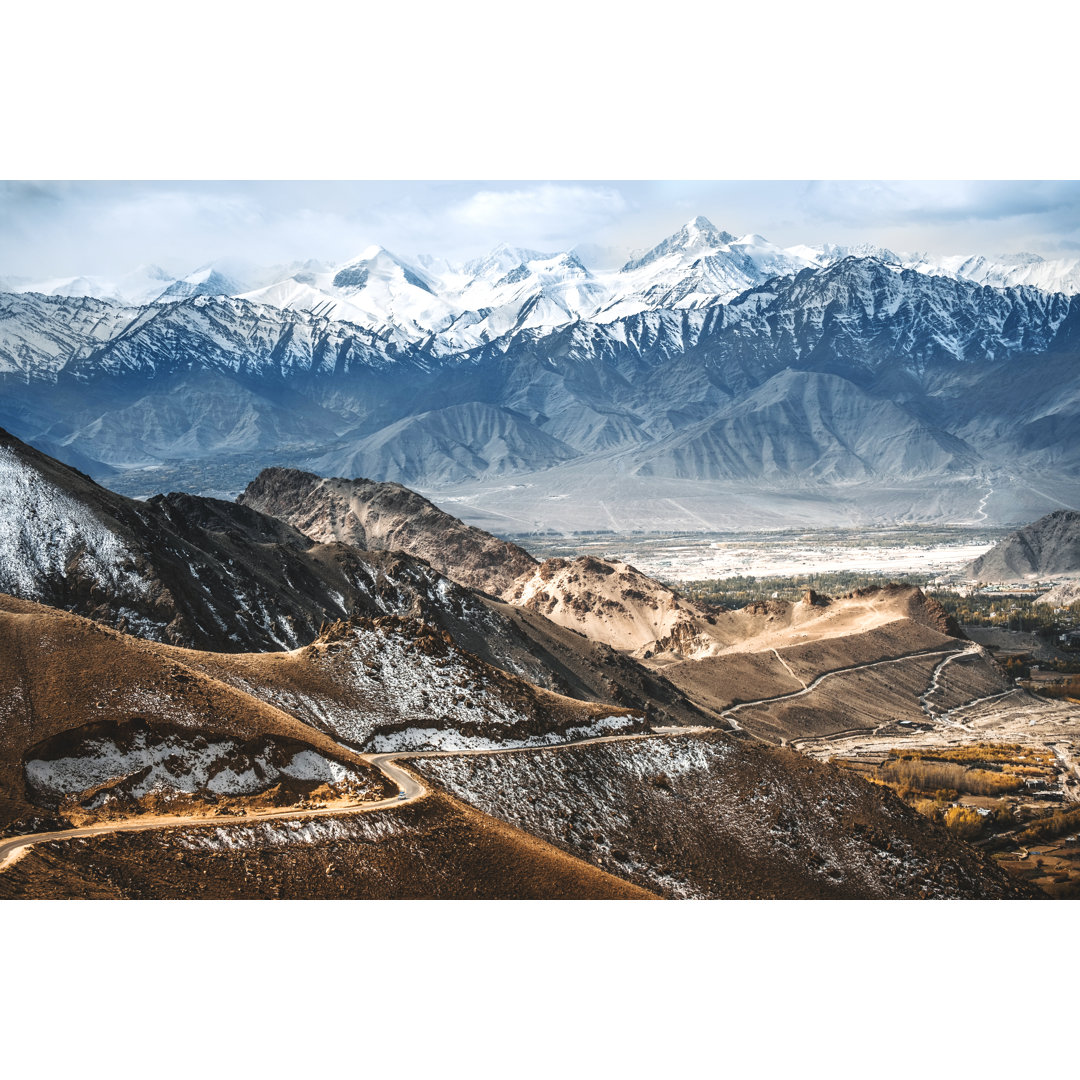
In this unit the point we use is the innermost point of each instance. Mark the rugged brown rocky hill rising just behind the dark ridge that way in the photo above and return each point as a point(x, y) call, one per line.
point(385, 517)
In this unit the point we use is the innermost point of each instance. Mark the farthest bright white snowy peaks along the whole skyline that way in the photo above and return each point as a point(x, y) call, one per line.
point(451, 308)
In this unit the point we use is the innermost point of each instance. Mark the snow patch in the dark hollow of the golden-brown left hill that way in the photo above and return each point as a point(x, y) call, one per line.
point(178, 765)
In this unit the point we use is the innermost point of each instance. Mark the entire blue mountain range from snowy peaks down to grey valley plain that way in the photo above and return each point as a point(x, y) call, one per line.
point(712, 382)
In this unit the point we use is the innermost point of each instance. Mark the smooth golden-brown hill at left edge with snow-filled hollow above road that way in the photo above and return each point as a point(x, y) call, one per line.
point(94, 723)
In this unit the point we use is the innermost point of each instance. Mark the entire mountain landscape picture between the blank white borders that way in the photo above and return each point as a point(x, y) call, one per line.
point(539, 541)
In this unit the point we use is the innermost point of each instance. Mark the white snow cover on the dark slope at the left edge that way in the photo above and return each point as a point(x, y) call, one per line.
point(43, 530)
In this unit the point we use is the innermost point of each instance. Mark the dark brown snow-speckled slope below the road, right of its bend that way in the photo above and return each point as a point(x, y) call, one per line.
point(711, 818)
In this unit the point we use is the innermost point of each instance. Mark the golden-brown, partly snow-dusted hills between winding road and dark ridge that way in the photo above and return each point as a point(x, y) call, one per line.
point(94, 722)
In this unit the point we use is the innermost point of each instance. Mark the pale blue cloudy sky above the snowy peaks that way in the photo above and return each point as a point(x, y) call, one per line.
point(111, 227)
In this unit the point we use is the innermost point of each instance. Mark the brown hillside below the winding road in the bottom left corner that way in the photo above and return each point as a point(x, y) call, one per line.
point(437, 849)
